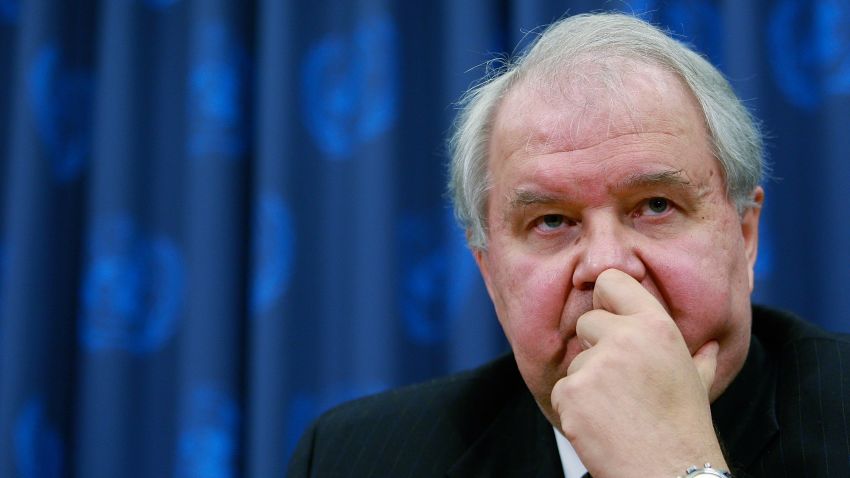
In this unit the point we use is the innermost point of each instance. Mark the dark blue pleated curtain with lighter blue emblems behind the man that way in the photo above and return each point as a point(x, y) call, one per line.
point(219, 218)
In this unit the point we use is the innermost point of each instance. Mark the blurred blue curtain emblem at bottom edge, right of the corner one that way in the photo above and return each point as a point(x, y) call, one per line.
point(209, 436)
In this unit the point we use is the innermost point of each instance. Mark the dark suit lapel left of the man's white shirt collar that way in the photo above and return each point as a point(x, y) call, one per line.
point(519, 442)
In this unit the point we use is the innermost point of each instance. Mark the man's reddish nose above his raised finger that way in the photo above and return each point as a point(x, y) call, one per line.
point(605, 243)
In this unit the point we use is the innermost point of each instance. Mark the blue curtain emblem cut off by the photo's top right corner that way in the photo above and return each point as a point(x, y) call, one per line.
point(810, 50)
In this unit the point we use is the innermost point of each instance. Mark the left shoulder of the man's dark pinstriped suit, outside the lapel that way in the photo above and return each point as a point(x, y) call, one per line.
point(416, 430)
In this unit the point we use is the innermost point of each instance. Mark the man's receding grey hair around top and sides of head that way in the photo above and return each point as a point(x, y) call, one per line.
point(734, 134)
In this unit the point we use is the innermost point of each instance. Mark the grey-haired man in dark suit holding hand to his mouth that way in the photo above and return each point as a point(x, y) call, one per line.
point(608, 182)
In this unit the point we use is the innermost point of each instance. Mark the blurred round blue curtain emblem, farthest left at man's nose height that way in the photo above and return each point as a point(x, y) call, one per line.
point(132, 290)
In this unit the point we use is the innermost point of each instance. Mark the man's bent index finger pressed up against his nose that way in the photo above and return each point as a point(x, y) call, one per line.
point(619, 293)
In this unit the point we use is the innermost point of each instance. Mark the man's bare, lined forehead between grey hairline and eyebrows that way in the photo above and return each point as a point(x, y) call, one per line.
point(580, 105)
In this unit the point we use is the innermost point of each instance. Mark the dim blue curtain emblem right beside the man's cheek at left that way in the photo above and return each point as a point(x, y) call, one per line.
point(437, 279)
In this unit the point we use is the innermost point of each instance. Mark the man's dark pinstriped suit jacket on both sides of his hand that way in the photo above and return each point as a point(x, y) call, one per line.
point(786, 414)
